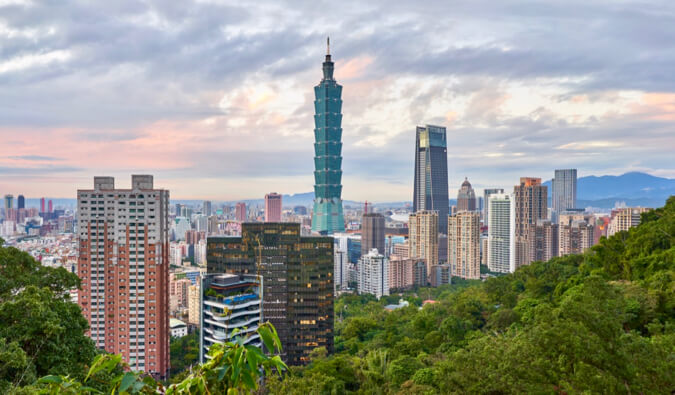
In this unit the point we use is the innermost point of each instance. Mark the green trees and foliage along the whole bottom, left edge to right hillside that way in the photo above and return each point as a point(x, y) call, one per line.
point(599, 322)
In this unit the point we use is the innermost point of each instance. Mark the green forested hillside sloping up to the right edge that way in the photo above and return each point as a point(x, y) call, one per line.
point(602, 322)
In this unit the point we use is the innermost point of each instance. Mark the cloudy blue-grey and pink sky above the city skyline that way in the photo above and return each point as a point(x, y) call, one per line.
point(215, 98)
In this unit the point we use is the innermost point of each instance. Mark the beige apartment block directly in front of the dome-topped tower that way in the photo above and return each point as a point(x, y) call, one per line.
point(464, 244)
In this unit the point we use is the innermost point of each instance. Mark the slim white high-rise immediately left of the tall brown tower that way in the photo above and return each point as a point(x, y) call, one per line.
point(501, 233)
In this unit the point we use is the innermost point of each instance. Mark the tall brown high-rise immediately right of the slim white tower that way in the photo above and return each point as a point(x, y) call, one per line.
point(531, 205)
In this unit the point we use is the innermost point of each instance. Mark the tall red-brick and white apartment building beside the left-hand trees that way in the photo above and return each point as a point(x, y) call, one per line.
point(124, 267)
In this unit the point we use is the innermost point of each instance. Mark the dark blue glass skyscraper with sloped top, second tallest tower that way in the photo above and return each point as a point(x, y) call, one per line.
point(431, 173)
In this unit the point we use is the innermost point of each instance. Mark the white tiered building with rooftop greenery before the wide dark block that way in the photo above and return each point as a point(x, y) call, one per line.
point(229, 303)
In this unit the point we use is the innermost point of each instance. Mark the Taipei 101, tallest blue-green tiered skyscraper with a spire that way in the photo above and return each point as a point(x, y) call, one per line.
point(327, 217)
